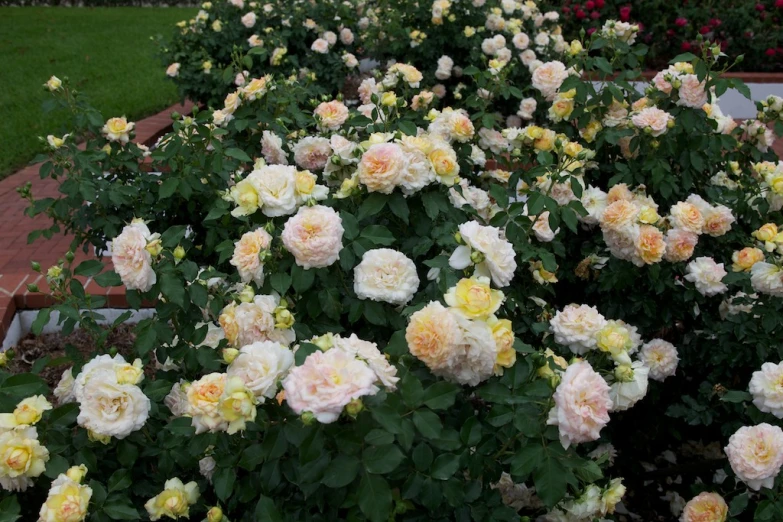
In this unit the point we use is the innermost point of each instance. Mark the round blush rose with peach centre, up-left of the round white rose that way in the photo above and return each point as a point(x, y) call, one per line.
point(314, 236)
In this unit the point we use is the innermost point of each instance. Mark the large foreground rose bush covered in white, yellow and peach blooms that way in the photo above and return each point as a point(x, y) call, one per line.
point(410, 311)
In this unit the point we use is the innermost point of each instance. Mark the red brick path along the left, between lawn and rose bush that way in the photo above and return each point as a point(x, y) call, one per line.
point(16, 254)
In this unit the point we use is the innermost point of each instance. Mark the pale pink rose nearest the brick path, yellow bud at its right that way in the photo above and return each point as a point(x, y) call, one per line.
point(132, 261)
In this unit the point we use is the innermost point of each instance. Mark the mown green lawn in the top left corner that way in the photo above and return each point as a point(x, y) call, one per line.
point(106, 53)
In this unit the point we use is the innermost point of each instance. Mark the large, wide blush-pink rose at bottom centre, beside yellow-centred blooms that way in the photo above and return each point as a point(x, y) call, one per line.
point(326, 383)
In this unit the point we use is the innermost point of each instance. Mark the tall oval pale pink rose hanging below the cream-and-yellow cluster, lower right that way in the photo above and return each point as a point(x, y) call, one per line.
point(582, 405)
